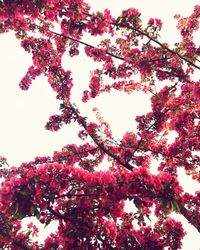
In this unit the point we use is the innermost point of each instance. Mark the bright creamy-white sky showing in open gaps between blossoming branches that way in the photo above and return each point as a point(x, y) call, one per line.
point(24, 113)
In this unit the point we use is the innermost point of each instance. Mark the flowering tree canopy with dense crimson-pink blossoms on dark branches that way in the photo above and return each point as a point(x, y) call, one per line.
point(70, 187)
